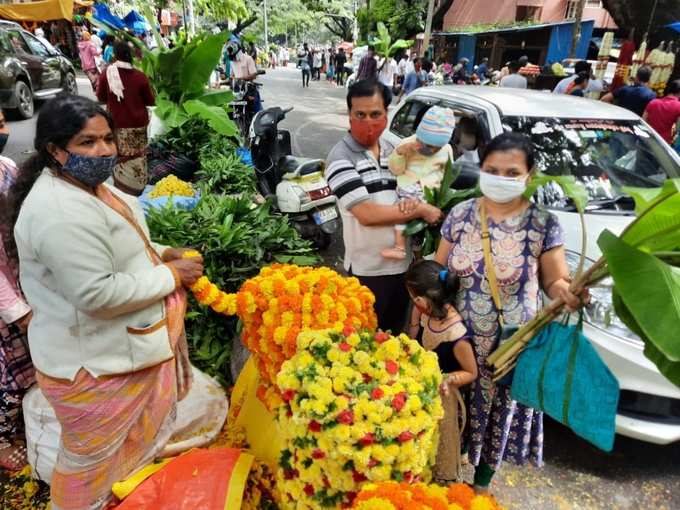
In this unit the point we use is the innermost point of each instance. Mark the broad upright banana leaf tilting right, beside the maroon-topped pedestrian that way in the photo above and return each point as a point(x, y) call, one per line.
point(200, 61)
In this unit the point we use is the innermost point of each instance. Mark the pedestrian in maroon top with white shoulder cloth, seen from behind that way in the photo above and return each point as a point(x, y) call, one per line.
point(127, 94)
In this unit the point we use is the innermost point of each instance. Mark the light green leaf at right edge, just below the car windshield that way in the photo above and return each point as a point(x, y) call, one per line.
point(658, 226)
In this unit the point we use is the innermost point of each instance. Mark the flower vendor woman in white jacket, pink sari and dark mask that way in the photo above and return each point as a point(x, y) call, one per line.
point(107, 333)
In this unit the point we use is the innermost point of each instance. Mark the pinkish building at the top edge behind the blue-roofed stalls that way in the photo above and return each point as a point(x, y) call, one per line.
point(471, 12)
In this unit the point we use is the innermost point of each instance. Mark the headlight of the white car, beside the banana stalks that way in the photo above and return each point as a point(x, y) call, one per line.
point(600, 311)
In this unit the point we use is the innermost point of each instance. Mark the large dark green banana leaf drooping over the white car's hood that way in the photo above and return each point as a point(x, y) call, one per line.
point(650, 290)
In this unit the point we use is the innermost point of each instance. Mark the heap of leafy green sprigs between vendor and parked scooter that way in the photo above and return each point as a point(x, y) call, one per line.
point(236, 238)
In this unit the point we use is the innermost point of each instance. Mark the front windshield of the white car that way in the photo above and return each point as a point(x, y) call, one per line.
point(604, 155)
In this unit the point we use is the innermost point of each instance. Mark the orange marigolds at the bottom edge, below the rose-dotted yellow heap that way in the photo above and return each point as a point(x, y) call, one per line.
point(403, 496)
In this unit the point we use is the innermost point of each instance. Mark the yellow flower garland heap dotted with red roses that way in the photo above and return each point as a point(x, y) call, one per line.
point(358, 407)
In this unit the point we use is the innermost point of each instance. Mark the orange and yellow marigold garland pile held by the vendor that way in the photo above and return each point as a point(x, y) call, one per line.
point(283, 300)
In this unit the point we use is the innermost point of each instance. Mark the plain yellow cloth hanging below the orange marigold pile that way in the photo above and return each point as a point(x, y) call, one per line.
point(251, 416)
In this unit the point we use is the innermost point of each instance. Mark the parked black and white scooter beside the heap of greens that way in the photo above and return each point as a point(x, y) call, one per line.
point(296, 185)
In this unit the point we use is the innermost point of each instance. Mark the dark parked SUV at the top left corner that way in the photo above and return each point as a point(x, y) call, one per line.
point(30, 70)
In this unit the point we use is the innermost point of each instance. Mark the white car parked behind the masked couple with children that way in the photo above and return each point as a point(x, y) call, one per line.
point(605, 147)
